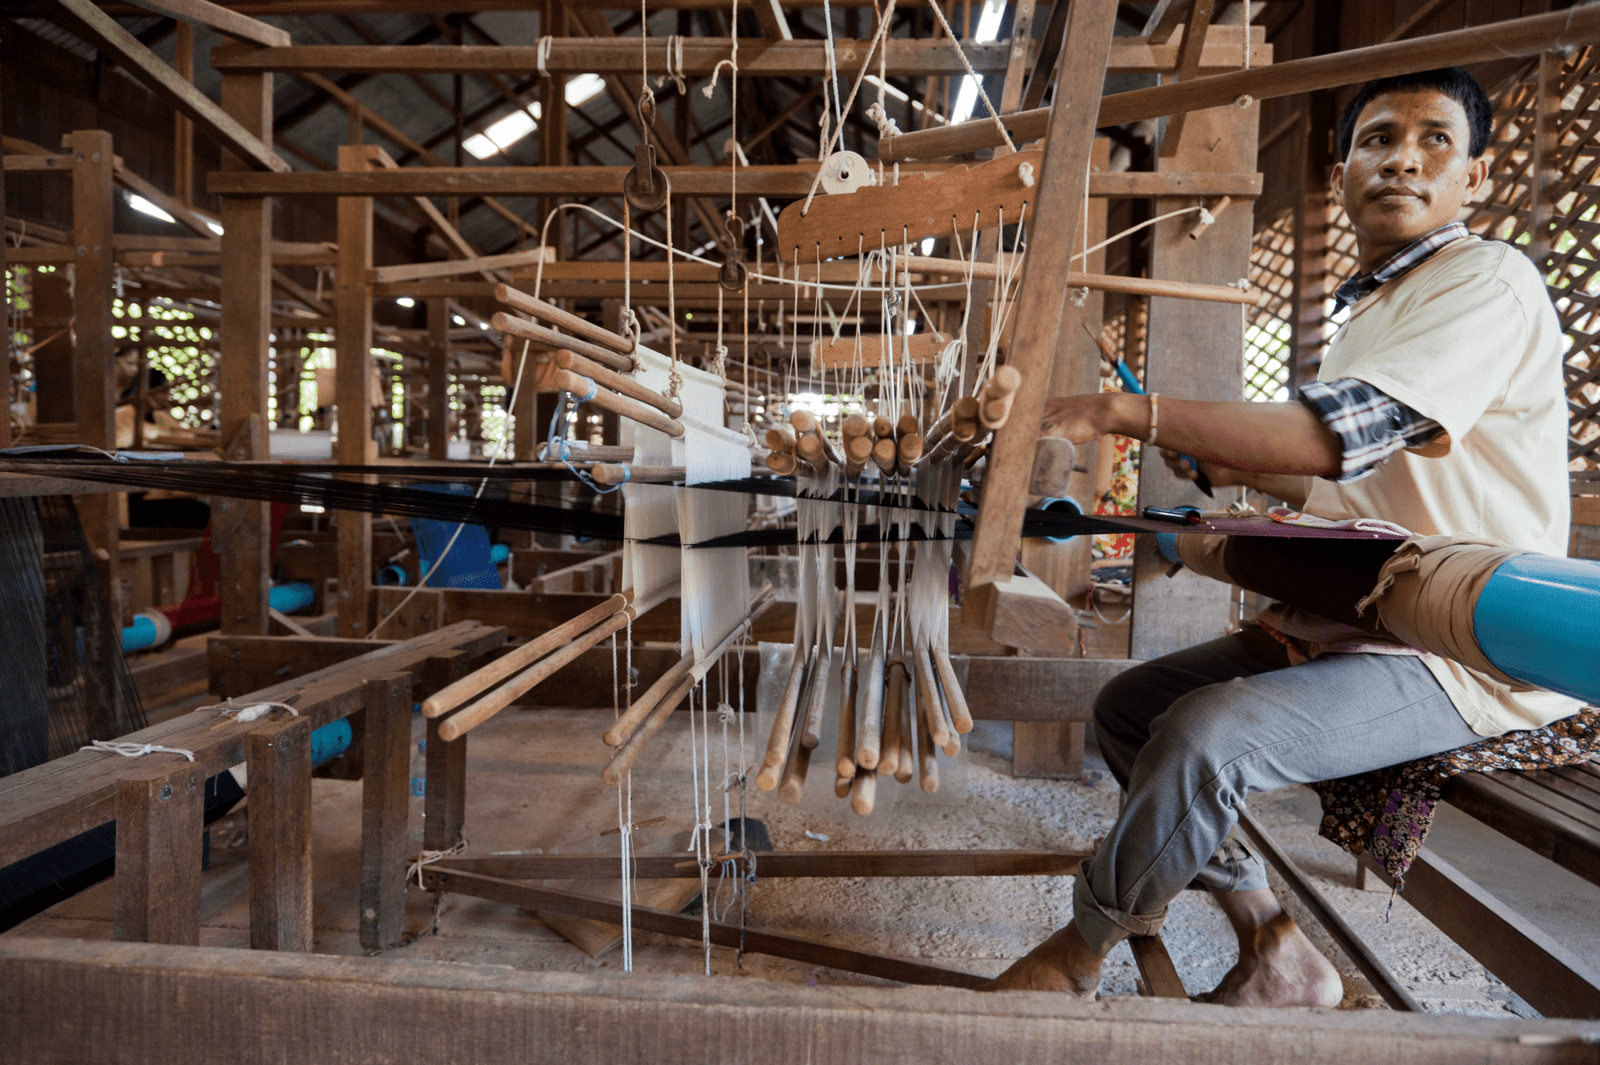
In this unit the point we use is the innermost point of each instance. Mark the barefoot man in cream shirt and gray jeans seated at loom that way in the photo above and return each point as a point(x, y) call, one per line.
point(1441, 409)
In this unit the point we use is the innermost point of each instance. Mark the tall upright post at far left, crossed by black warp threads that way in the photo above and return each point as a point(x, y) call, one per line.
point(94, 367)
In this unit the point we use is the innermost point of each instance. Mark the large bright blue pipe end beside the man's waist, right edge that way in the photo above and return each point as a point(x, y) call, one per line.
point(1538, 620)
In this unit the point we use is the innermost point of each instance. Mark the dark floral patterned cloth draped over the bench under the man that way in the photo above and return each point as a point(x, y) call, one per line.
point(1390, 812)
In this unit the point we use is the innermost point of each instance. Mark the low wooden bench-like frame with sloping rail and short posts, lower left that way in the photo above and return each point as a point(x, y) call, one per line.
point(156, 800)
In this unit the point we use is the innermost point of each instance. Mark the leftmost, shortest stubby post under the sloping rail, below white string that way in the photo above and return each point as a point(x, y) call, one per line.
point(158, 884)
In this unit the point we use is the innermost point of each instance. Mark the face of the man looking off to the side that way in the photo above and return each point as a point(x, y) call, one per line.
point(1409, 172)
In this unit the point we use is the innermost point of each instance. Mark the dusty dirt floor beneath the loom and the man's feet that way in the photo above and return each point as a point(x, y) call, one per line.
point(535, 786)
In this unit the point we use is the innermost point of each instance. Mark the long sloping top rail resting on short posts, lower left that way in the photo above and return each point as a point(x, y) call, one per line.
point(70, 796)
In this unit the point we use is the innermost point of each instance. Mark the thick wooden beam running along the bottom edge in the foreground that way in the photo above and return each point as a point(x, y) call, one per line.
point(90, 1002)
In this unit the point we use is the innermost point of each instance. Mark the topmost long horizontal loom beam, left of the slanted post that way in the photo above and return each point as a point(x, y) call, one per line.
point(599, 55)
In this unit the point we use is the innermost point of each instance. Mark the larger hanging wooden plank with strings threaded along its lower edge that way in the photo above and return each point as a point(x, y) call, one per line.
point(882, 217)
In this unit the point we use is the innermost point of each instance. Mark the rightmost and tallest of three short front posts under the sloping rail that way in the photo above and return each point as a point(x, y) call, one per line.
point(386, 780)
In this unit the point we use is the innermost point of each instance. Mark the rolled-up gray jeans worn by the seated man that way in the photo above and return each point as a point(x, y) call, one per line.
point(1191, 735)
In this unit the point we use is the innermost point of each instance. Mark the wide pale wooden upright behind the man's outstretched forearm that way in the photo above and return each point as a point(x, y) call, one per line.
point(1194, 356)
